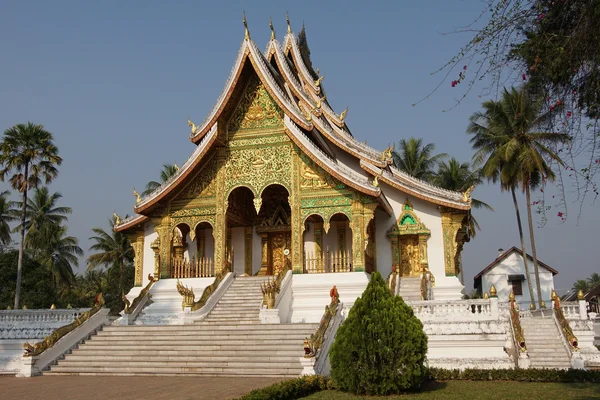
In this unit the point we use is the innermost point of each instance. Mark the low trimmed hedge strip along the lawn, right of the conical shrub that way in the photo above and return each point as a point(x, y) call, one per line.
point(518, 375)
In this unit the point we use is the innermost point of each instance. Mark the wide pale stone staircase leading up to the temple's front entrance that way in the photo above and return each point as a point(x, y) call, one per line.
point(229, 342)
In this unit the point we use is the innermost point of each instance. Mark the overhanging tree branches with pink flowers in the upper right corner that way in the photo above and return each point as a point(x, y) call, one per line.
point(552, 47)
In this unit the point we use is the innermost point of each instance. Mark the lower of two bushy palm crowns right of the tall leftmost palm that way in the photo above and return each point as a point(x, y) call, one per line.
point(59, 253)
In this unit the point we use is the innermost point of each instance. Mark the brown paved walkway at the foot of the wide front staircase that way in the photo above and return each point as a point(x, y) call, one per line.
point(128, 388)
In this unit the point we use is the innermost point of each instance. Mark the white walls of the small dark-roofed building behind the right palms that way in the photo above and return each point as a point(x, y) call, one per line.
point(513, 265)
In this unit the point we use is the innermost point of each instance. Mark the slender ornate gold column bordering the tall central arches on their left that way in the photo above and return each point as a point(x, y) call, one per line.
point(220, 228)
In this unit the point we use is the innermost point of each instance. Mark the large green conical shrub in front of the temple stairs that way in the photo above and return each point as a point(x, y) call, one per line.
point(380, 348)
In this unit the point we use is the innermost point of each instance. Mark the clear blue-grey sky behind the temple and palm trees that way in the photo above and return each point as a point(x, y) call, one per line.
point(115, 82)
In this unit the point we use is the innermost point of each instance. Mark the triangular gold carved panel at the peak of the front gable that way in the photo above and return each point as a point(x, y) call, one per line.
point(256, 109)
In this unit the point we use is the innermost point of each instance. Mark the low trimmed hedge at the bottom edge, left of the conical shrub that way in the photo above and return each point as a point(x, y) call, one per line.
point(291, 389)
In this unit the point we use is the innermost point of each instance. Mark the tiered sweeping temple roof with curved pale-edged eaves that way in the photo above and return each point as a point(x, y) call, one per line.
point(284, 72)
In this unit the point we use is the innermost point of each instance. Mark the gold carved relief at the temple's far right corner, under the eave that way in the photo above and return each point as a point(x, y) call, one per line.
point(454, 238)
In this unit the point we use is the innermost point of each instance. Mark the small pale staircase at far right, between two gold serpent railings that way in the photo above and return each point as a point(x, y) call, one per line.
point(544, 343)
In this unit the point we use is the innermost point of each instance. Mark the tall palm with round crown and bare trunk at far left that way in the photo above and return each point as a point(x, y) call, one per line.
point(27, 150)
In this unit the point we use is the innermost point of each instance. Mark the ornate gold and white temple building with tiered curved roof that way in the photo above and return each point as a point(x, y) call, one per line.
point(278, 180)
